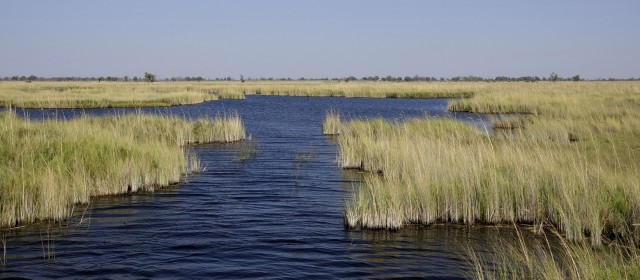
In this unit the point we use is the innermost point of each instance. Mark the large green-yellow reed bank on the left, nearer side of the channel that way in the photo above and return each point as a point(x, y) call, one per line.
point(48, 166)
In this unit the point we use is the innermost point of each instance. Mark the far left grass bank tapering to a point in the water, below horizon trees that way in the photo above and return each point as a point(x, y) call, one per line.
point(106, 94)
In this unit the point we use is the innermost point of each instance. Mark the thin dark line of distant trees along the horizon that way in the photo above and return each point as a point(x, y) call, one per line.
point(149, 77)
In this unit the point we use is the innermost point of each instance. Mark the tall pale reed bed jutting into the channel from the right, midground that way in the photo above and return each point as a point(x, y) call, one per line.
point(442, 170)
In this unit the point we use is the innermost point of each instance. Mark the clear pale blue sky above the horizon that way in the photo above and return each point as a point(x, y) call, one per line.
point(320, 38)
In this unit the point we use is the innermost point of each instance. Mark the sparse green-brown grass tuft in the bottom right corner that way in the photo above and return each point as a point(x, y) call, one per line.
point(522, 258)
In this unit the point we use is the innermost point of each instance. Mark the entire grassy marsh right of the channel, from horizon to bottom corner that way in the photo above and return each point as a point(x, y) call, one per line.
point(569, 163)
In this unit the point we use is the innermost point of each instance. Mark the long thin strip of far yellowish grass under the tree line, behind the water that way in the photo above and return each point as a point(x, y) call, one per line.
point(132, 94)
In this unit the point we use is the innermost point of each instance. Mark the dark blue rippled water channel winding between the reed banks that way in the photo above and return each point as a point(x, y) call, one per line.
point(268, 217)
